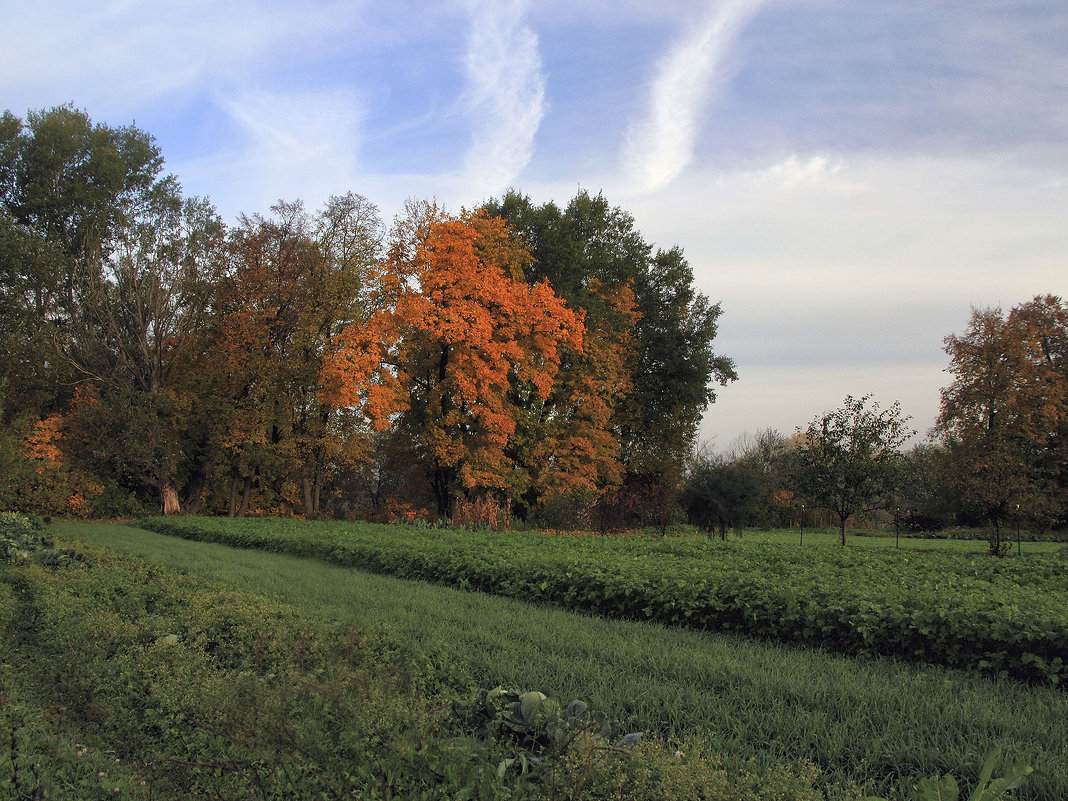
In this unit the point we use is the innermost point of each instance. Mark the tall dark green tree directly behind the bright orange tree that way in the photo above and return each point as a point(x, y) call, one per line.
point(591, 254)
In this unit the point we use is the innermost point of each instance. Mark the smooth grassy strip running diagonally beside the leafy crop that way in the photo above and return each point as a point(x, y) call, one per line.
point(858, 719)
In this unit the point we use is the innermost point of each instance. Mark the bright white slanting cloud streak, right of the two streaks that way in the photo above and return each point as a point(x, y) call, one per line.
point(659, 146)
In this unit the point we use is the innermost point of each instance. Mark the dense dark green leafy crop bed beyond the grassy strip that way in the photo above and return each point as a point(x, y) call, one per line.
point(1007, 619)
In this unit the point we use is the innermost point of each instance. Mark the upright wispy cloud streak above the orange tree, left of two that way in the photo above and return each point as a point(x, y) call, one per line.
point(506, 92)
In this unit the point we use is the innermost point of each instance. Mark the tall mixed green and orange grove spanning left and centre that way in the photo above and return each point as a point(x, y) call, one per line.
point(522, 357)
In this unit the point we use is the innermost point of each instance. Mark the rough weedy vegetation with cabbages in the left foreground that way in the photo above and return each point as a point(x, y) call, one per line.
point(130, 680)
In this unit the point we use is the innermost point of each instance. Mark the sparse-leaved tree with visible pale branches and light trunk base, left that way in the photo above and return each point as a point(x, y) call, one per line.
point(137, 342)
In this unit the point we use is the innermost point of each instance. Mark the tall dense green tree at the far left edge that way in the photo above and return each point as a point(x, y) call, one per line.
point(67, 186)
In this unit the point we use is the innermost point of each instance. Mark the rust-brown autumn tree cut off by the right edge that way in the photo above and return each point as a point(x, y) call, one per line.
point(1004, 418)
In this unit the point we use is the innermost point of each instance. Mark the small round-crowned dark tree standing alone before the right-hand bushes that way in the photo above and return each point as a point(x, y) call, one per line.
point(850, 460)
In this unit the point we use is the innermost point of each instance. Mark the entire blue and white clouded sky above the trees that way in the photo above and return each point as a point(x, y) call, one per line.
point(849, 179)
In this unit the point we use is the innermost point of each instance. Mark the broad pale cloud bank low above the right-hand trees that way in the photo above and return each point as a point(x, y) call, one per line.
point(849, 284)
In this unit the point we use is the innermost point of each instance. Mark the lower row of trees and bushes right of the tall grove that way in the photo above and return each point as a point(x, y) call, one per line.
point(998, 454)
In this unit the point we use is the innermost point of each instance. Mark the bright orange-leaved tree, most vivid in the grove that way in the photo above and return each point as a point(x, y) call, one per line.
point(458, 336)
